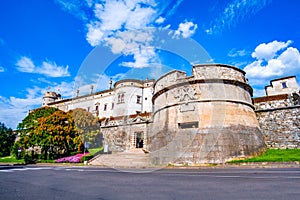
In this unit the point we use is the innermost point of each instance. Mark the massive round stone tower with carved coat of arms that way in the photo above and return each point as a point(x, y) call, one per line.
point(207, 117)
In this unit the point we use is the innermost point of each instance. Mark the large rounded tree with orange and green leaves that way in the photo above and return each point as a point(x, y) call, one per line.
point(50, 132)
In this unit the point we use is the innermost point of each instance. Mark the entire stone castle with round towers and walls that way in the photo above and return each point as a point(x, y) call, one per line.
point(208, 117)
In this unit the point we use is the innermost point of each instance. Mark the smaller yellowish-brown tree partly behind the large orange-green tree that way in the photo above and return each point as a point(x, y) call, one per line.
point(87, 126)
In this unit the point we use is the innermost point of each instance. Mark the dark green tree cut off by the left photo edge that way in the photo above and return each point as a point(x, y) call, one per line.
point(7, 140)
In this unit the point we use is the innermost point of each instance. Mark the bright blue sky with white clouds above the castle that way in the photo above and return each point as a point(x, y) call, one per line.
point(63, 45)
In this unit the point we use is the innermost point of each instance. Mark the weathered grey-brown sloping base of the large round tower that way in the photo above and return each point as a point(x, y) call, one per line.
point(214, 145)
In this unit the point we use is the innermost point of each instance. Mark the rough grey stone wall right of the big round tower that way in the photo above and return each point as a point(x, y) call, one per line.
point(279, 120)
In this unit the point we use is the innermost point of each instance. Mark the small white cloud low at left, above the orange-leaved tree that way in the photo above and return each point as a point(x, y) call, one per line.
point(47, 68)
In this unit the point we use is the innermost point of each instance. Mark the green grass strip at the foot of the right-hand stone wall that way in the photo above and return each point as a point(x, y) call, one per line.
point(274, 155)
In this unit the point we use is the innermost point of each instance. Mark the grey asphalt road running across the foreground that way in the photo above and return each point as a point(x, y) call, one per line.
point(103, 183)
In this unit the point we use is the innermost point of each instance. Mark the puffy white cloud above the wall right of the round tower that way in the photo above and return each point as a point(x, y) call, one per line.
point(274, 59)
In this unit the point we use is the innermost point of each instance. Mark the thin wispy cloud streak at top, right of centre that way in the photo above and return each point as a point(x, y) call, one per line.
point(234, 12)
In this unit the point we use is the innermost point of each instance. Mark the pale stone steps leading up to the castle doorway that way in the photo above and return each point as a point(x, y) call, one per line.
point(133, 158)
